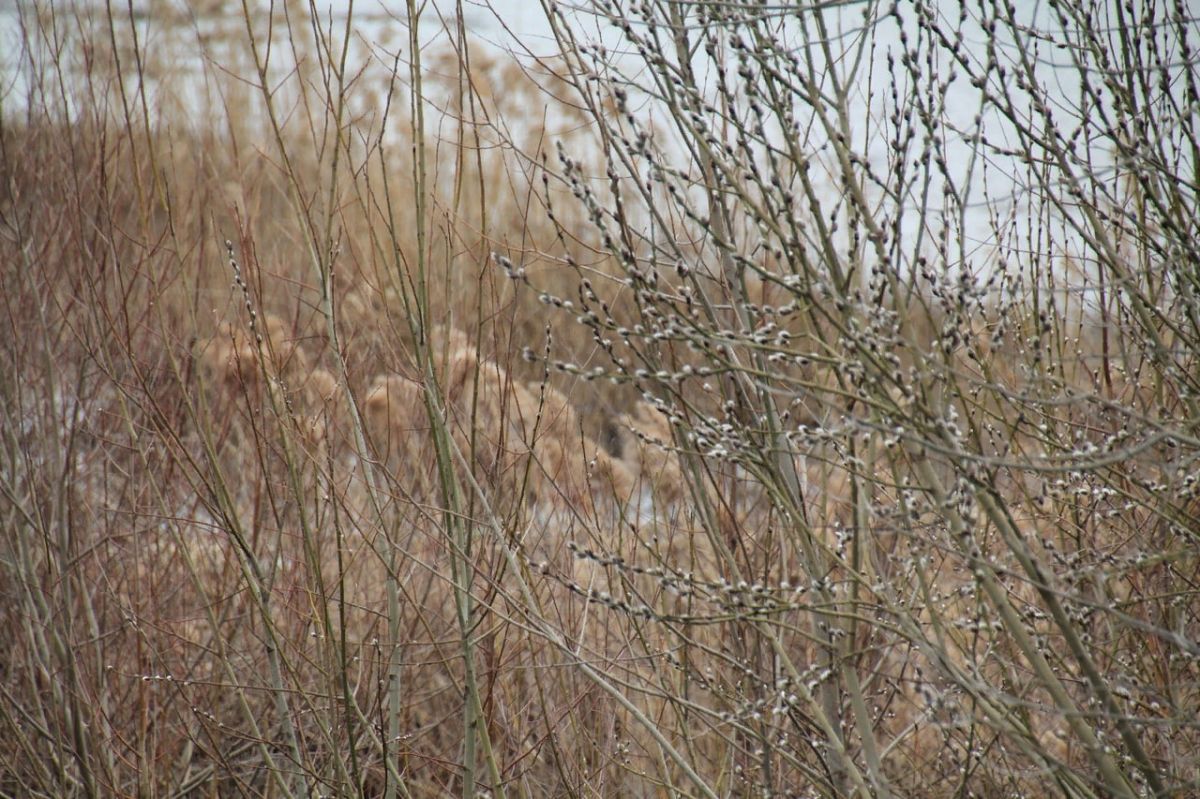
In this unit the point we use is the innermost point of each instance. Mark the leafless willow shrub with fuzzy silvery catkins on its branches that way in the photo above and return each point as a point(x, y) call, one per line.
point(910, 411)
